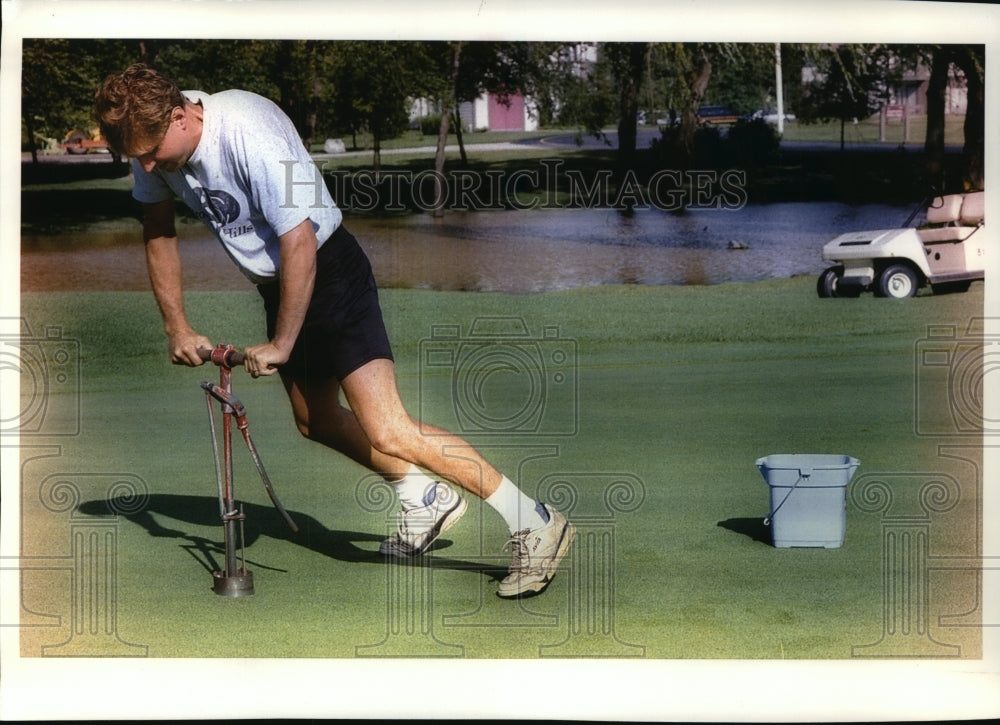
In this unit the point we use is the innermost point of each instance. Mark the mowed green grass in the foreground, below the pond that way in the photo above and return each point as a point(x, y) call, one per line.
point(657, 402)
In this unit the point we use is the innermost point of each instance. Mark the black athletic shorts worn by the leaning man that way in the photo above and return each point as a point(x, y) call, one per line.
point(343, 328)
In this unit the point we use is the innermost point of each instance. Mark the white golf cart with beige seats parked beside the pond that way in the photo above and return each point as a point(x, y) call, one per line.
point(946, 252)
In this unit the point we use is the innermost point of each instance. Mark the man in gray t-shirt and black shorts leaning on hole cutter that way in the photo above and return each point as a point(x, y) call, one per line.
point(237, 161)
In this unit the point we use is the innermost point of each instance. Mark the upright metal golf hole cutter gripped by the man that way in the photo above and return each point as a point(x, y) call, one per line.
point(235, 580)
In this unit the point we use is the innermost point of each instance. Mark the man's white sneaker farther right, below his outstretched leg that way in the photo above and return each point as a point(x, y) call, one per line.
point(537, 553)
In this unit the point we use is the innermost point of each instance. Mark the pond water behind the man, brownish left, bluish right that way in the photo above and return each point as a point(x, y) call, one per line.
point(505, 251)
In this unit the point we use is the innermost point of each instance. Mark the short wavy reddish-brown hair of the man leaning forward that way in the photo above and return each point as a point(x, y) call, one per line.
point(133, 108)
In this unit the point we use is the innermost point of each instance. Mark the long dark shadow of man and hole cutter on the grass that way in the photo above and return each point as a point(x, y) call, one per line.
point(262, 521)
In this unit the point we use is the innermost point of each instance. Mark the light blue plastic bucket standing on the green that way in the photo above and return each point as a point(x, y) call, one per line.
point(808, 498)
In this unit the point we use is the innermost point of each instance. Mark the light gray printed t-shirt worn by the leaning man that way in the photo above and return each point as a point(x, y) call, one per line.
point(250, 180)
